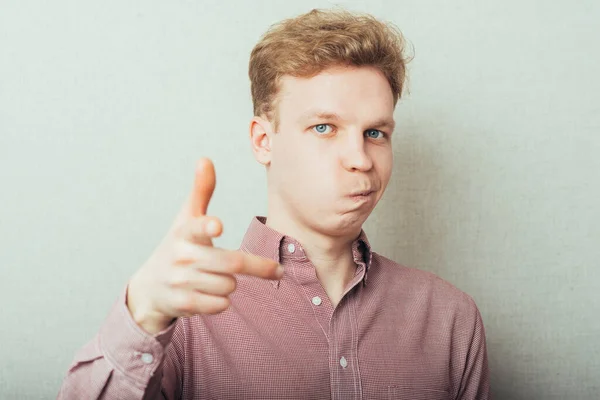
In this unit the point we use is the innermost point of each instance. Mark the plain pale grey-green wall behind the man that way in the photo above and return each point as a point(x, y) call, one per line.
point(105, 106)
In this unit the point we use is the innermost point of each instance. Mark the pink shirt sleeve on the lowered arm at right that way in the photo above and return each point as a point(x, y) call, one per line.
point(475, 382)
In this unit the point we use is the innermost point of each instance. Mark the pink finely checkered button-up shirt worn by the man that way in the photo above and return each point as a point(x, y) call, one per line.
point(402, 333)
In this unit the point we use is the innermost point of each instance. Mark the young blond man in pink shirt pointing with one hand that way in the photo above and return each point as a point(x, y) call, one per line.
point(305, 309)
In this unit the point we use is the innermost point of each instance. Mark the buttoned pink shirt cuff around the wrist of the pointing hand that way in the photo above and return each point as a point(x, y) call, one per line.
point(130, 349)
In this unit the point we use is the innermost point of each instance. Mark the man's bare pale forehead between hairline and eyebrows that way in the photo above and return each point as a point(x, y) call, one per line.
point(350, 92)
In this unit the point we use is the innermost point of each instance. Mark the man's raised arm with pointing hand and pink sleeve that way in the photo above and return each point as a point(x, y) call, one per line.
point(138, 352)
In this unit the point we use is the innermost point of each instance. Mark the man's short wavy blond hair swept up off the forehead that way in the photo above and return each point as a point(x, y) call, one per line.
point(309, 43)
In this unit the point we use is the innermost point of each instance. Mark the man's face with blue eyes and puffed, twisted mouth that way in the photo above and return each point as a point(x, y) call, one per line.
point(334, 141)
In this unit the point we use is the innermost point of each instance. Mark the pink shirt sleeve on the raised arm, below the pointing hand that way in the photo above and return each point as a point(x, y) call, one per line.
point(123, 361)
